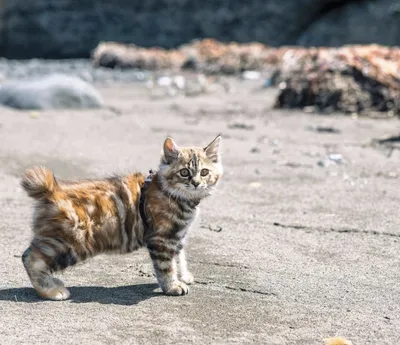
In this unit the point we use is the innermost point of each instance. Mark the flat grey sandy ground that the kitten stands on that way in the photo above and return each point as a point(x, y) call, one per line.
point(293, 248)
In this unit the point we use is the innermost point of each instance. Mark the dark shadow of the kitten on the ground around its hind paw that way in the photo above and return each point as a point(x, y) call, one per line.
point(121, 295)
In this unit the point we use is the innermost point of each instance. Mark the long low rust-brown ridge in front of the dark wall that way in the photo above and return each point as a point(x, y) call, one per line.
point(208, 55)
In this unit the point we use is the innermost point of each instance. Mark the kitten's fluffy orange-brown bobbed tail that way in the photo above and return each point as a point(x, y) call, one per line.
point(38, 182)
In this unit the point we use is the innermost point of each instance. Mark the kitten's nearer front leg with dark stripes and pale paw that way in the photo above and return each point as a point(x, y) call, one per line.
point(164, 262)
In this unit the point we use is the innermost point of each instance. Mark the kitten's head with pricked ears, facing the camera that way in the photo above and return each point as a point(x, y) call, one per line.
point(189, 172)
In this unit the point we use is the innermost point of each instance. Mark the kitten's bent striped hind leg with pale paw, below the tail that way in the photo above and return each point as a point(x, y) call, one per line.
point(40, 260)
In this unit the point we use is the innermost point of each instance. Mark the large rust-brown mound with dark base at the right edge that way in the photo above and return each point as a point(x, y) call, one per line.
point(351, 79)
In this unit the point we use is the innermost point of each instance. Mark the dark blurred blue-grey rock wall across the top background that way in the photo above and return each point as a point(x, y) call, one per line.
point(69, 29)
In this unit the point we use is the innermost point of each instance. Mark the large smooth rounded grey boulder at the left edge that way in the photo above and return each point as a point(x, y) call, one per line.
point(54, 91)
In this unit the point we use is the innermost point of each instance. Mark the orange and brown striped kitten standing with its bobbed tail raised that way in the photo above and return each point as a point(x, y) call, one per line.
point(74, 221)
